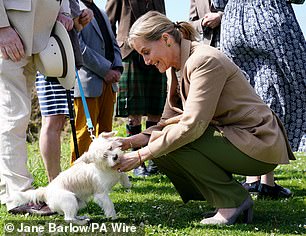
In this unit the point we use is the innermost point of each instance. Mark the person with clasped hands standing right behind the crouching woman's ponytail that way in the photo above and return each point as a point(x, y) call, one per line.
point(206, 19)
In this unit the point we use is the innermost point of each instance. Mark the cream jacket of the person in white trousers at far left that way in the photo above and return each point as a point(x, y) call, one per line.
point(32, 19)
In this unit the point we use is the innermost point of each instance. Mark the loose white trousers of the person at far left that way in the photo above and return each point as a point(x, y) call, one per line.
point(16, 82)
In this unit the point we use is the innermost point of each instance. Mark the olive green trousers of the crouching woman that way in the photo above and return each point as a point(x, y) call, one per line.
point(202, 170)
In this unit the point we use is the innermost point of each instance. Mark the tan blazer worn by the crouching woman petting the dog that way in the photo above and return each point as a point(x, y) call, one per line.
point(213, 90)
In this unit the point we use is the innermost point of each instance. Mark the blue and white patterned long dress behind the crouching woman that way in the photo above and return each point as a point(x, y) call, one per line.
point(265, 40)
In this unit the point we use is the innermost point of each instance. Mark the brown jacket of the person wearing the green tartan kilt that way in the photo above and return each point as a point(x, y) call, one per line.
point(125, 13)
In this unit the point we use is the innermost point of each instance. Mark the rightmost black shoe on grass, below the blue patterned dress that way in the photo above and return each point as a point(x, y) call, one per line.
point(274, 192)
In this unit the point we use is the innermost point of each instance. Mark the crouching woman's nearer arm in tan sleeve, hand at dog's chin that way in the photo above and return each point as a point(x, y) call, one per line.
point(207, 79)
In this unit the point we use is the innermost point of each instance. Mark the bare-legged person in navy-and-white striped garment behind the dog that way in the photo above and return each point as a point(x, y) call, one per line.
point(52, 96)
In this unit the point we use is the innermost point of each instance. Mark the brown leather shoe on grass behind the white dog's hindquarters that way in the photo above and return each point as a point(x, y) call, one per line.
point(34, 209)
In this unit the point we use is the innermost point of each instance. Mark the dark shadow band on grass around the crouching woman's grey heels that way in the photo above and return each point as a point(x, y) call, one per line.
point(273, 217)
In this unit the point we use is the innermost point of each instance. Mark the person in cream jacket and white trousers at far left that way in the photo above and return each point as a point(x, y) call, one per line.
point(25, 28)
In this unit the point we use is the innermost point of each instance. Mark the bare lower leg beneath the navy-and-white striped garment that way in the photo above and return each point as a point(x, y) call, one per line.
point(50, 143)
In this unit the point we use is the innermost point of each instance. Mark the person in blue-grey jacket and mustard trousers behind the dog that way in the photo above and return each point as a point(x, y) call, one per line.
point(99, 75)
